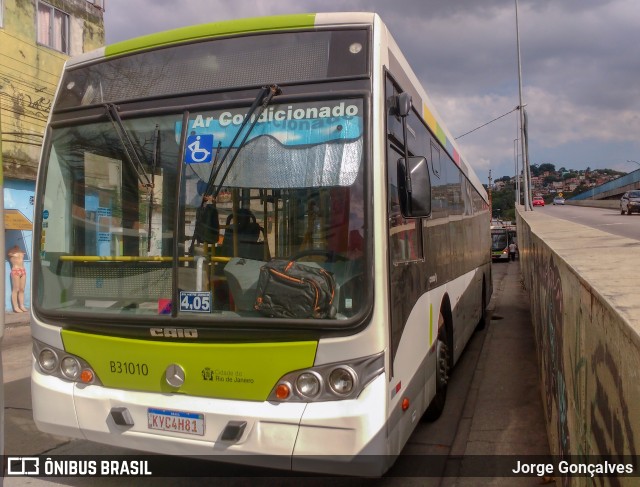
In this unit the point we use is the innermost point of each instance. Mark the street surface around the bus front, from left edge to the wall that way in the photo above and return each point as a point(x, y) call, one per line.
point(494, 407)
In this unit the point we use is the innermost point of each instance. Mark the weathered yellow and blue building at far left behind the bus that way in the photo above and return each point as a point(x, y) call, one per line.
point(36, 38)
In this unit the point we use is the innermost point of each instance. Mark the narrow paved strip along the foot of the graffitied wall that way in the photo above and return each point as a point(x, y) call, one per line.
point(504, 413)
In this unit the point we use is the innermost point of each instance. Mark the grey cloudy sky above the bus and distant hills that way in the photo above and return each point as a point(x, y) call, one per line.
point(580, 68)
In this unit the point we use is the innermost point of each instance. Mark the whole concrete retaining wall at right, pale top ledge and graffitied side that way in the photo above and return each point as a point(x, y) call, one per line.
point(583, 286)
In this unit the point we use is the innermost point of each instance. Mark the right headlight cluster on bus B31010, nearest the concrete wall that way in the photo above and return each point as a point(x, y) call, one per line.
point(329, 382)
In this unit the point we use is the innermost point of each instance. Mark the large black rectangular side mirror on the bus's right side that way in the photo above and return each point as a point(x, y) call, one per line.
point(414, 190)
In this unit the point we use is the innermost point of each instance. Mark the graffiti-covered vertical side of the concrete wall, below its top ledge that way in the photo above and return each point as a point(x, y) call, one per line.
point(589, 395)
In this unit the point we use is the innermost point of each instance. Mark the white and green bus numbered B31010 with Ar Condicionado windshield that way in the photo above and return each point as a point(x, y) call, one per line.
point(255, 240)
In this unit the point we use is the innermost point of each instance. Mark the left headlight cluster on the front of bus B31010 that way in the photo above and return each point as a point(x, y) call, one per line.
point(63, 365)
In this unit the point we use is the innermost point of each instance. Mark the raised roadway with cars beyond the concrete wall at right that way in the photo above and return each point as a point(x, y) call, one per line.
point(605, 219)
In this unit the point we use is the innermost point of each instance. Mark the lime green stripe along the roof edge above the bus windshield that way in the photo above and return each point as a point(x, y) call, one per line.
point(215, 29)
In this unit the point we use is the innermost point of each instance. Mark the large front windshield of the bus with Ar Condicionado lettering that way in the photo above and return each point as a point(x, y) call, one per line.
point(129, 226)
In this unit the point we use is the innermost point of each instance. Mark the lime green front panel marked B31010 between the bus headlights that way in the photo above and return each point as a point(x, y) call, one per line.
point(244, 371)
